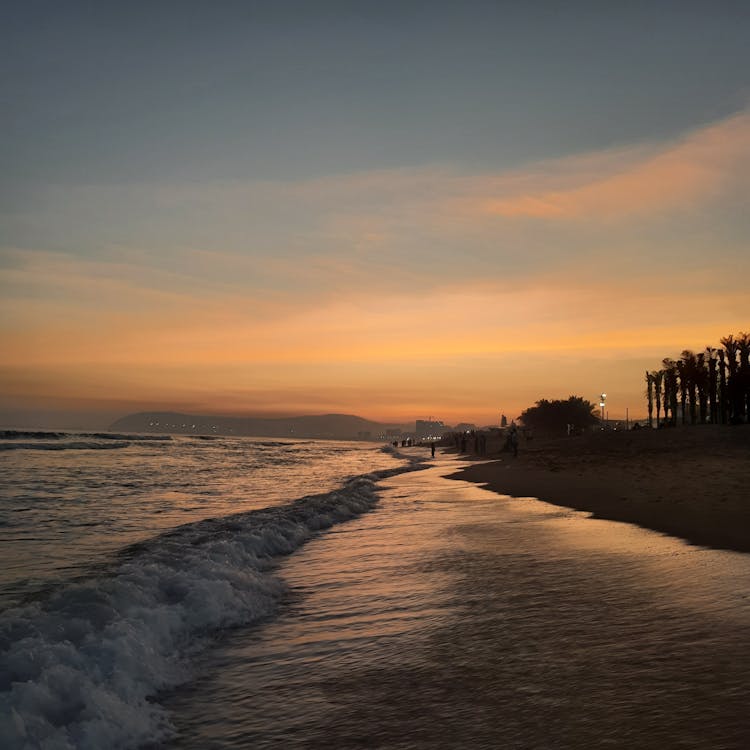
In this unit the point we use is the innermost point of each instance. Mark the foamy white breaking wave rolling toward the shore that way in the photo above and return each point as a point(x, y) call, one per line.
point(83, 666)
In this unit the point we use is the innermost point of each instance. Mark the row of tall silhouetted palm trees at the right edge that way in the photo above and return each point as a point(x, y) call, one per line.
point(712, 386)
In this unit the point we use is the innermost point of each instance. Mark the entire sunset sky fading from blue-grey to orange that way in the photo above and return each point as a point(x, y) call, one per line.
point(396, 210)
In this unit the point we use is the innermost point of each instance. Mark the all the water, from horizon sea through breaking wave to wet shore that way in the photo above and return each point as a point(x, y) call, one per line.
point(250, 593)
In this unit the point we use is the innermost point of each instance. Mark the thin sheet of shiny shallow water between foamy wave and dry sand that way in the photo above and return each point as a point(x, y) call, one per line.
point(452, 617)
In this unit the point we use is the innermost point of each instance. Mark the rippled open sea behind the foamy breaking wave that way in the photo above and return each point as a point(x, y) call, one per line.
point(66, 505)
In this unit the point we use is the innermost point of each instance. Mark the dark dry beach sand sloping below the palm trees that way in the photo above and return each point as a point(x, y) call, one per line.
point(689, 482)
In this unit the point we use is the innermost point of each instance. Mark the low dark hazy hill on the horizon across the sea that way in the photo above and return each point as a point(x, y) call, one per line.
point(331, 426)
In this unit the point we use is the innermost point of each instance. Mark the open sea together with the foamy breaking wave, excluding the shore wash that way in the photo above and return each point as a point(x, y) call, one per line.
point(123, 555)
